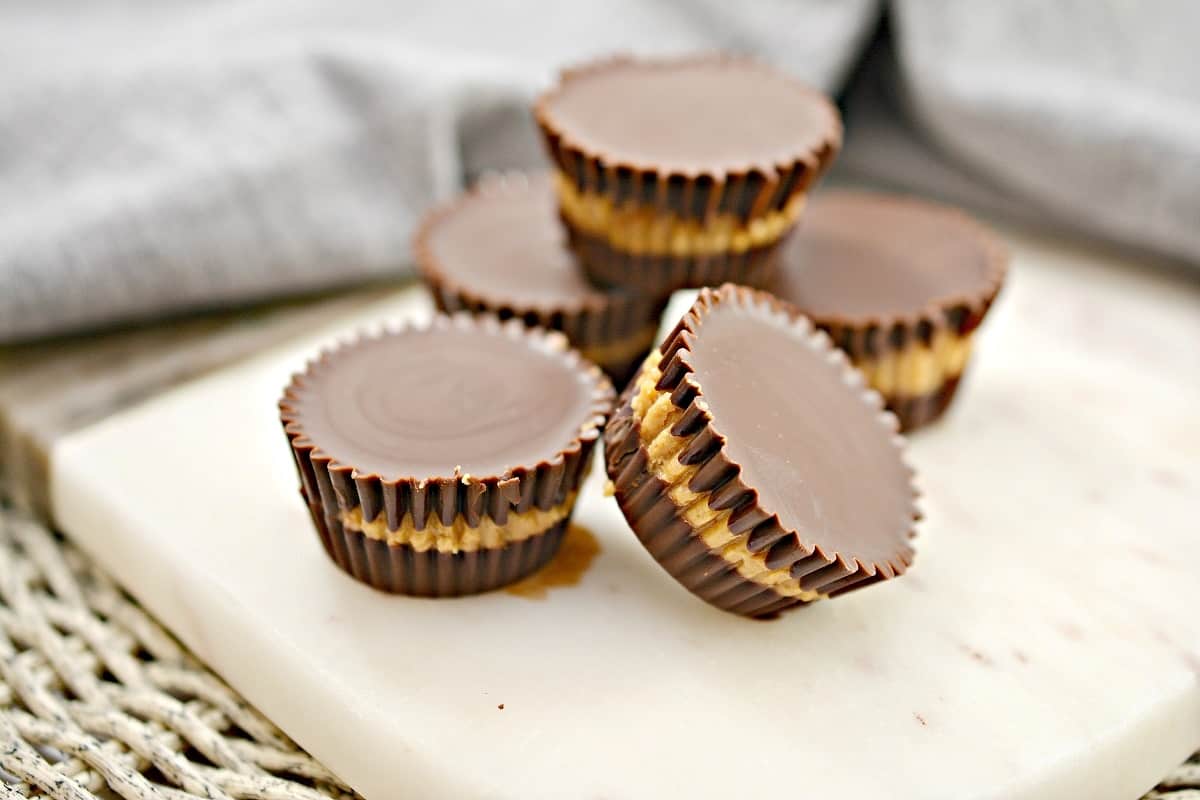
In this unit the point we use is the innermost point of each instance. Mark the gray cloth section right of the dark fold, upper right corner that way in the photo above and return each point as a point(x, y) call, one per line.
point(1081, 116)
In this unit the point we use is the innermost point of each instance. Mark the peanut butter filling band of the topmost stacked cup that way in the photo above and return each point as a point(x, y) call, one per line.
point(644, 231)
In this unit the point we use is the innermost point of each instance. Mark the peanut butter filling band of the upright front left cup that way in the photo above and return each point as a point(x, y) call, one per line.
point(460, 538)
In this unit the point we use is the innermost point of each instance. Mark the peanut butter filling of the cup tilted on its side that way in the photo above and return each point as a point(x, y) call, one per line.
point(657, 416)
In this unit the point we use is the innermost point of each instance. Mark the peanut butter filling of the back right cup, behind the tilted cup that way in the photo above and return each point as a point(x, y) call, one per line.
point(919, 370)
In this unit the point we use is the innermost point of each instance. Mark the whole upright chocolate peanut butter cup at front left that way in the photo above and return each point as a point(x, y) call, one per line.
point(445, 460)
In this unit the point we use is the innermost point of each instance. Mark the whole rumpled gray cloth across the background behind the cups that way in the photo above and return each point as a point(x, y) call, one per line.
point(165, 157)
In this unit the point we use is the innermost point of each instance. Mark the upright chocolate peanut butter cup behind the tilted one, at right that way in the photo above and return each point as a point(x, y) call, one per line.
point(901, 285)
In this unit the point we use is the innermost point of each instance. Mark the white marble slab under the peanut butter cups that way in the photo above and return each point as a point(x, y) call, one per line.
point(1046, 646)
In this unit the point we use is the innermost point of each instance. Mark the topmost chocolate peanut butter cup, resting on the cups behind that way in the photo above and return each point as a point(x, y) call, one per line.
point(683, 172)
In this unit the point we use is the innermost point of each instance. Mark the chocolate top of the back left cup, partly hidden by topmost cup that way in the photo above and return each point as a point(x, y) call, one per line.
point(505, 243)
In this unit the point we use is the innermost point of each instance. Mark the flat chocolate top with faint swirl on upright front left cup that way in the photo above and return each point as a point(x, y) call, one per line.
point(458, 398)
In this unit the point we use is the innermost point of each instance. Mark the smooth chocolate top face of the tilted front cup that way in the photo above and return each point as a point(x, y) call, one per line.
point(811, 442)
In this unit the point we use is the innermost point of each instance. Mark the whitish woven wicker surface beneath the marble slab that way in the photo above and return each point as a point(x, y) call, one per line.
point(99, 702)
